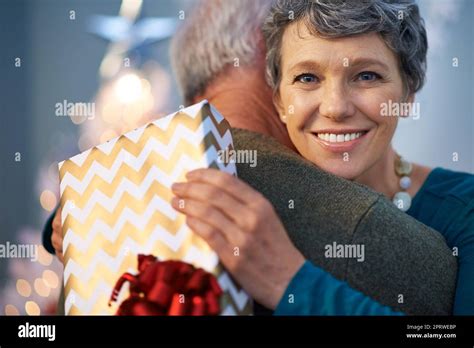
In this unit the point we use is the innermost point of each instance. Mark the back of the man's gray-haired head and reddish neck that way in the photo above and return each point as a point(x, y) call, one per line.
point(219, 55)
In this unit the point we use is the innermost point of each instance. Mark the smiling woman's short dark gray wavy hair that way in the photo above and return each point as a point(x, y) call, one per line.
point(397, 21)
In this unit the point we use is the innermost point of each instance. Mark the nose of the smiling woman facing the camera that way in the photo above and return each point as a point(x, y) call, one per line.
point(335, 103)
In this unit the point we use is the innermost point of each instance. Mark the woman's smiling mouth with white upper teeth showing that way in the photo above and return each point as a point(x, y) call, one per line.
point(329, 141)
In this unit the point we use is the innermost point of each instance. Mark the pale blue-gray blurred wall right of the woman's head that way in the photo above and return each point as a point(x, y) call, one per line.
point(446, 123)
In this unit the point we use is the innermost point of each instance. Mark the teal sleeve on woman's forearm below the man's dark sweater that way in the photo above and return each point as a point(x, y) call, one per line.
point(313, 291)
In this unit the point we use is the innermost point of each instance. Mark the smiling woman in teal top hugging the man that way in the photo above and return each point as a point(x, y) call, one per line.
point(335, 66)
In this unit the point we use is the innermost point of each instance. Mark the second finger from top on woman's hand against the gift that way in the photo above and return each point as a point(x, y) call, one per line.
point(234, 209)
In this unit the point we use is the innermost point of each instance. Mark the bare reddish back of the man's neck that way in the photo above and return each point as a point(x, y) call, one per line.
point(242, 96)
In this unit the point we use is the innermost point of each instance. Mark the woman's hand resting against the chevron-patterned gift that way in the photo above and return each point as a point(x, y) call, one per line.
point(244, 230)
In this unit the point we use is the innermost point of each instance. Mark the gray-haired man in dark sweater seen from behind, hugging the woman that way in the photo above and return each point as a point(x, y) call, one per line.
point(219, 54)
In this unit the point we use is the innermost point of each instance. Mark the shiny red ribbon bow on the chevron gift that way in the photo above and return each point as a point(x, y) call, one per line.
point(168, 288)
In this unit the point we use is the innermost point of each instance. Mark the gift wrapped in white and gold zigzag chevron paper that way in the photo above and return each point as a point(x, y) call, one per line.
point(115, 201)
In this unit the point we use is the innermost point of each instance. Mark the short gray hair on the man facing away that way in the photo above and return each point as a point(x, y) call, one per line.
point(213, 35)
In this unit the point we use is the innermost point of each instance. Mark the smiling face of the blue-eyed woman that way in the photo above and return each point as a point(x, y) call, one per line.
point(330, 97)
